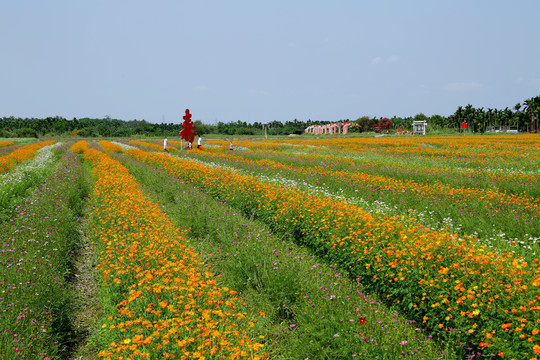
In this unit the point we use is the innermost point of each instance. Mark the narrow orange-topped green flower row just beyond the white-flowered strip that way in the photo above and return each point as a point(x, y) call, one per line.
point(485, 211)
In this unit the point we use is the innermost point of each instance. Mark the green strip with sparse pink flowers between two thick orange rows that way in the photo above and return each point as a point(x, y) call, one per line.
point(302, 300)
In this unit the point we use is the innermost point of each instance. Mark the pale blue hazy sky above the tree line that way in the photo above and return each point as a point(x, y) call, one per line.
point(258, 60)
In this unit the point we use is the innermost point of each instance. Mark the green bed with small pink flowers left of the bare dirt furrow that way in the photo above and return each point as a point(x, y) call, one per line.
point(35, 252)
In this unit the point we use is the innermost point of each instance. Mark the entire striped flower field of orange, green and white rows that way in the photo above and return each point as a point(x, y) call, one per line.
point(298, 248)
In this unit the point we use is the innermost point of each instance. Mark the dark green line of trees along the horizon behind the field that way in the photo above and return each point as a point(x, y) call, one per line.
point(523, 117)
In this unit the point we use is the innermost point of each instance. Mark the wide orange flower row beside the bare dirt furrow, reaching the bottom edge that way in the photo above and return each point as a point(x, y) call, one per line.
point(163, 301)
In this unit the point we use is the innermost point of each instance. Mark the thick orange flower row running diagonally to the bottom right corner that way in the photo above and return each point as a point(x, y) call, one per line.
point(460, 290)
